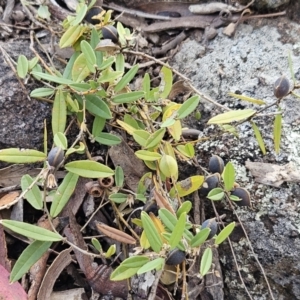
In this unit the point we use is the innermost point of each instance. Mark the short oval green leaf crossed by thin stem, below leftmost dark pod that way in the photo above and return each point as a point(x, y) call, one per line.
point(34, 195)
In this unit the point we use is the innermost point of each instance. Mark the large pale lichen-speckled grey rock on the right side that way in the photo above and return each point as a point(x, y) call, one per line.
point(249, 64)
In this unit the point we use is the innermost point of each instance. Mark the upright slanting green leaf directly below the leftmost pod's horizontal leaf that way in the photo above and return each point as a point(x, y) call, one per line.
point(63, 194)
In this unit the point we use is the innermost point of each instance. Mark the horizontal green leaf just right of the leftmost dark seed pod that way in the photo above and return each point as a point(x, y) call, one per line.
point(89, 169)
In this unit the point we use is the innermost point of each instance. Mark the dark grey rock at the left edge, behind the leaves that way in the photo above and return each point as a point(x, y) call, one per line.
point(22, 120)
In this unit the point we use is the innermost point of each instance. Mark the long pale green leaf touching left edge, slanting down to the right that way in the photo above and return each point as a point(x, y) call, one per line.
point(31, 231)
